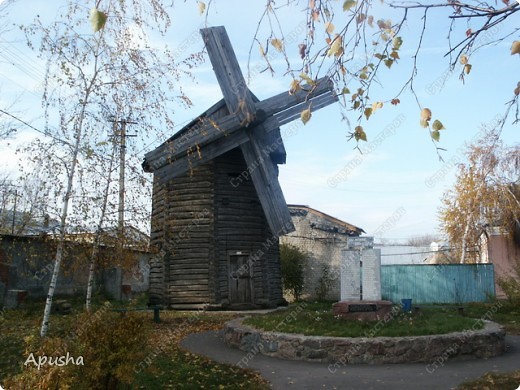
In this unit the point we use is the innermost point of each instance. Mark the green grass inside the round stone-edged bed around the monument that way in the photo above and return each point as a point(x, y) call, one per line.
point(317, 319)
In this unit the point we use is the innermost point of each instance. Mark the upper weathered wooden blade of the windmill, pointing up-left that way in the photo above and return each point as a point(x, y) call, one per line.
point(229, 76)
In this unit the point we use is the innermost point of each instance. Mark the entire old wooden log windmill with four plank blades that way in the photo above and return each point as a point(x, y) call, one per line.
point(218, 209)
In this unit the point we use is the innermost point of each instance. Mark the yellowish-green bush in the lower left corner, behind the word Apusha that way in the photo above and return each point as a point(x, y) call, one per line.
point(110, 346)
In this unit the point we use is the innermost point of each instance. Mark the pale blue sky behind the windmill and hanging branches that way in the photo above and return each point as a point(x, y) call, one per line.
point(394, 189)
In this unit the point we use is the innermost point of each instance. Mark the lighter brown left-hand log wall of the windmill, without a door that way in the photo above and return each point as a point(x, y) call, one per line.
point(182, 226)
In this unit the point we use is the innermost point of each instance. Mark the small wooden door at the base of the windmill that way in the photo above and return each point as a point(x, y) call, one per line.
point(239, 279)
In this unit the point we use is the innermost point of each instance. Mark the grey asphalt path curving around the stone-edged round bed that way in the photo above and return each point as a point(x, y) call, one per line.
point(287, 374)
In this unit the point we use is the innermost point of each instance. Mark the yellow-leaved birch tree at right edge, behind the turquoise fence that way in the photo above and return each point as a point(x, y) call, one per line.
point(486, 193)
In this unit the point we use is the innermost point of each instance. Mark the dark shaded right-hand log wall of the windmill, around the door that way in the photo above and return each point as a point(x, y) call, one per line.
point(241, 226)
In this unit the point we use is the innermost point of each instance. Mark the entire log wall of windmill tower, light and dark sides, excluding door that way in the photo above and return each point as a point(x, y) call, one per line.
point(201, 218)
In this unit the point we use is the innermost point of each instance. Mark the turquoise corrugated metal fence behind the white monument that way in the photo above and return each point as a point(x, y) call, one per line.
point(438, 283)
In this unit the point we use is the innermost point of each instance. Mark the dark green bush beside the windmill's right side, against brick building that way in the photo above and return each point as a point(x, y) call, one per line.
point(292, 263)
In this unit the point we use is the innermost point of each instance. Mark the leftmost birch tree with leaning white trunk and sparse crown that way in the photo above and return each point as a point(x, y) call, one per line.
point(94, 65)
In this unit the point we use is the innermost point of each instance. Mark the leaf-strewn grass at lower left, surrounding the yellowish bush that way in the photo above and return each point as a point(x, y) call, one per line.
point(167, 366)
